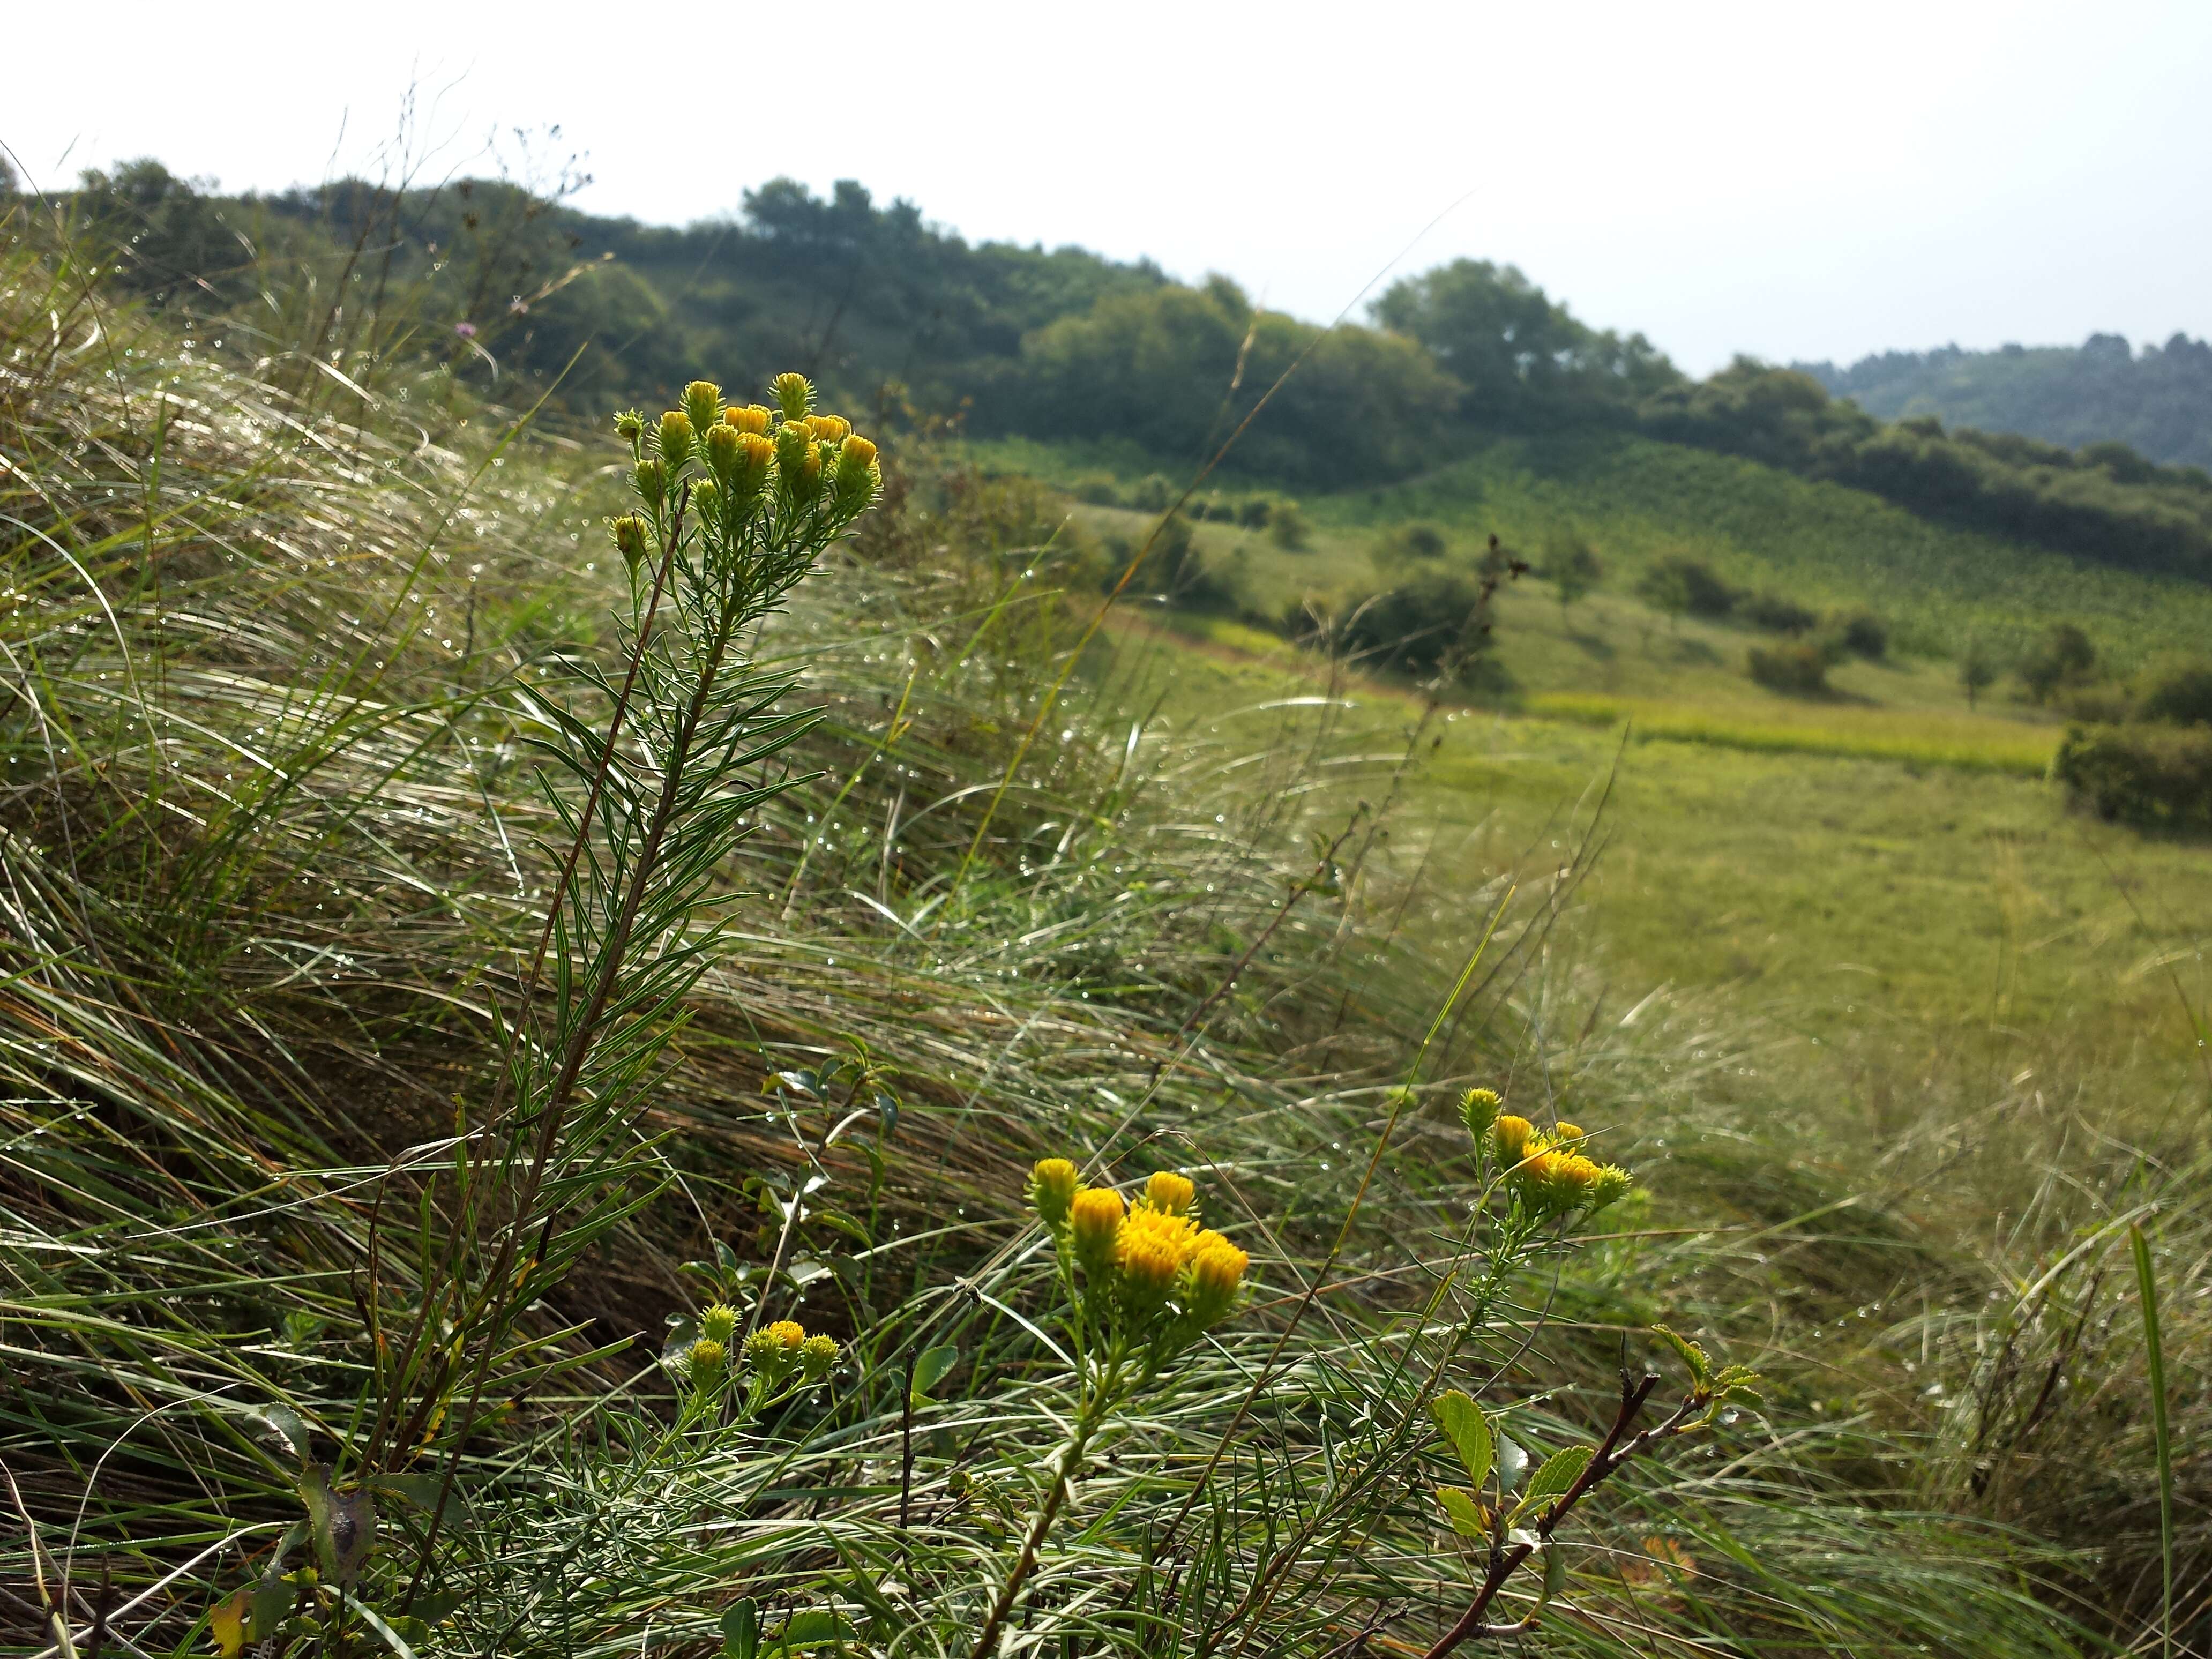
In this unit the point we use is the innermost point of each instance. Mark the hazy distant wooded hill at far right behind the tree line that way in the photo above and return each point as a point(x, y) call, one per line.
point(2156, 399)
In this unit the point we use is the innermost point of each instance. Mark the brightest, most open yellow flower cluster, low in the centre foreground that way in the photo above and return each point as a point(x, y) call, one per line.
point(1142, 1260)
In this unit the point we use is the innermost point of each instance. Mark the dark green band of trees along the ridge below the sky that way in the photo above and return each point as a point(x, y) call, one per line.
point(505, 275)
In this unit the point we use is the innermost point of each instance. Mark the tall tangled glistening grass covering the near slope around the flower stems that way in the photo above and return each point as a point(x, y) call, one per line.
point(315, 749)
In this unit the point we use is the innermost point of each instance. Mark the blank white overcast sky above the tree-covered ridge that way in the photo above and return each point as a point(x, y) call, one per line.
point(1791, 180)
